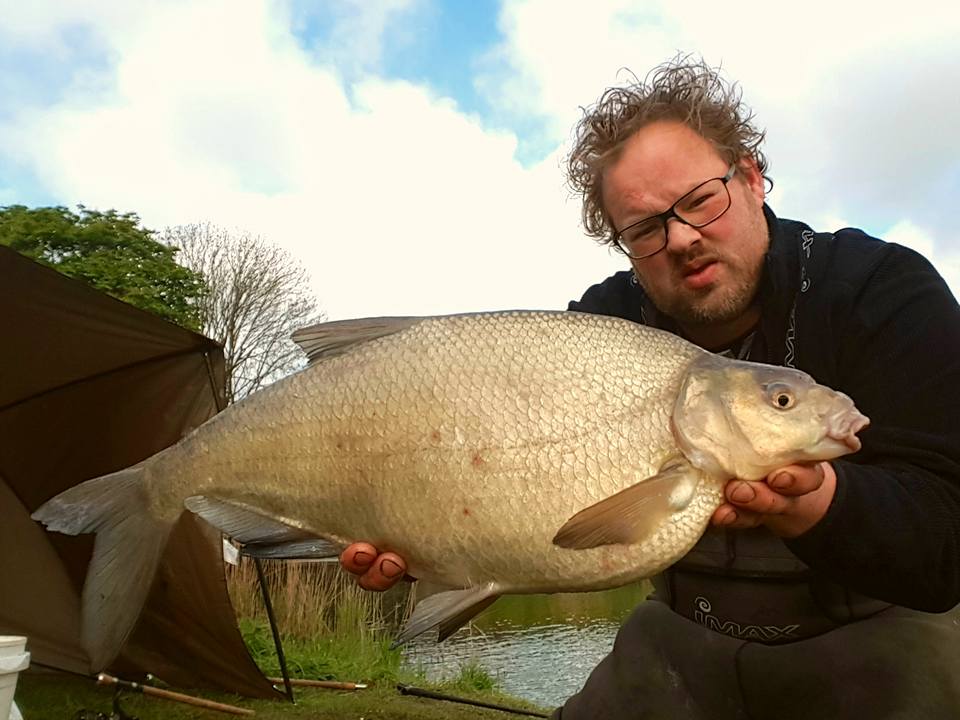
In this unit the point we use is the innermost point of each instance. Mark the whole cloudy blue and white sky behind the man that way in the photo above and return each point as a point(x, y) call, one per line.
point(410, 152)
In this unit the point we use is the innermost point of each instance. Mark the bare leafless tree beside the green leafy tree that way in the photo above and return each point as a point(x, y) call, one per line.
point(257, 295)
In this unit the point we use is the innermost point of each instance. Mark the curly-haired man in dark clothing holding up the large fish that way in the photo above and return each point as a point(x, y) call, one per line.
point(827, 590)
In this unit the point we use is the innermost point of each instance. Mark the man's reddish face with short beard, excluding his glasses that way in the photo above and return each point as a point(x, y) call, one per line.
point(706, 277)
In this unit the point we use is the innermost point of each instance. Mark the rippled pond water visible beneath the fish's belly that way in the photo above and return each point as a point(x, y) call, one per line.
point(539, 647)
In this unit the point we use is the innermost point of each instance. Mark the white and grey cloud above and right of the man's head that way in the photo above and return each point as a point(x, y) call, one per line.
point(859, 99)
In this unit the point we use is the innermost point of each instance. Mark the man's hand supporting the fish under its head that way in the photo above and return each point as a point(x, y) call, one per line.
point(789, 501)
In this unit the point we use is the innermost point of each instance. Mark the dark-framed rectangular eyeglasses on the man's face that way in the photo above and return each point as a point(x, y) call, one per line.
point(699, 207)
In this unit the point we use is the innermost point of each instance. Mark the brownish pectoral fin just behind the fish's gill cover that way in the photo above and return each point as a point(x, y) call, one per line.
point(632, 515)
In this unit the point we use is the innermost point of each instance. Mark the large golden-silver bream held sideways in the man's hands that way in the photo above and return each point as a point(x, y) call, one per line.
point(513, 452)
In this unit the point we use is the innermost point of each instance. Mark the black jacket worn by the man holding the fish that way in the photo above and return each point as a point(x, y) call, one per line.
point(876, 321)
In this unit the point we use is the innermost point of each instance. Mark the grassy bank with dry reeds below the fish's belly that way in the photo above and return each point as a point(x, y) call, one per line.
point(331, 630)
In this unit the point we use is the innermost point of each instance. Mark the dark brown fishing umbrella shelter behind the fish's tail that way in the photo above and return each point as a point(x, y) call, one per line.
point(90, 385)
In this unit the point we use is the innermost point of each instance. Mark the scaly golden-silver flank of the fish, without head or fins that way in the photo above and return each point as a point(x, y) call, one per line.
point(391, 422)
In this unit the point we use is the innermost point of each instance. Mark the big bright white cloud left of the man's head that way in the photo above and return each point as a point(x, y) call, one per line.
point(395, 200)
